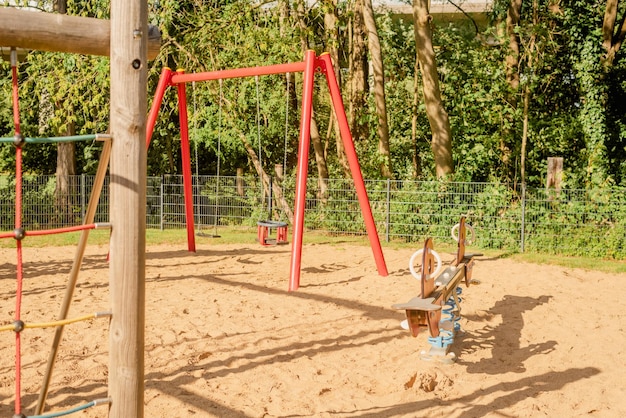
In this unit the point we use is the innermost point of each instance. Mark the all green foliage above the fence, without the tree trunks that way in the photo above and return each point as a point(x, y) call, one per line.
point(576, 110)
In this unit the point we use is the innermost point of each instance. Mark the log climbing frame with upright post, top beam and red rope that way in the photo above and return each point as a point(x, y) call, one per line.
point(126, 39)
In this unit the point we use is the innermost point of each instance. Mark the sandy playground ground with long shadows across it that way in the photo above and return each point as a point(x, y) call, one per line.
point(224, 337)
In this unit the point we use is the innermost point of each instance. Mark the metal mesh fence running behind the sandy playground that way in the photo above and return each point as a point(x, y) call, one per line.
point(504, 216)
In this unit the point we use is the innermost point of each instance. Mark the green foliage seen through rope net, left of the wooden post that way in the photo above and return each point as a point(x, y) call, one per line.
point(56, 91)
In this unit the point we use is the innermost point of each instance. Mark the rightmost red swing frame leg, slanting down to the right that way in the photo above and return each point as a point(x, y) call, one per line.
point(326, 66)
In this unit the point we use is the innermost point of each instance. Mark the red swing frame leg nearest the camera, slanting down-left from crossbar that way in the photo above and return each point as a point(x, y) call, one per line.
point(301, 174)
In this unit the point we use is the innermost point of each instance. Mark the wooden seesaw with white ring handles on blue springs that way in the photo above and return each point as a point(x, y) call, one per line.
point(437, 307)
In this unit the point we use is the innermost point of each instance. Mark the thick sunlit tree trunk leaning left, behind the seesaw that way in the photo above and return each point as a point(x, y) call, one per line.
point(437, 116)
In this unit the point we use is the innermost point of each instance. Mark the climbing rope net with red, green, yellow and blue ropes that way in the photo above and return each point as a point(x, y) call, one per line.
point(19, 233)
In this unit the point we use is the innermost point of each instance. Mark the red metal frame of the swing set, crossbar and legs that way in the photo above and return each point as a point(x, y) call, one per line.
point(308, 67)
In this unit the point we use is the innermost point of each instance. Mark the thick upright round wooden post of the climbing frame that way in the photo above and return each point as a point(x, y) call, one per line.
point(129, 33)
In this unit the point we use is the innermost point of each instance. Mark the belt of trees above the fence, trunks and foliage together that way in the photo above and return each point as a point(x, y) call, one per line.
point(551, 83)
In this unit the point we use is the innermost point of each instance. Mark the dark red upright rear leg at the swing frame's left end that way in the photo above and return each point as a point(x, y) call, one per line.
point(186, 162)
